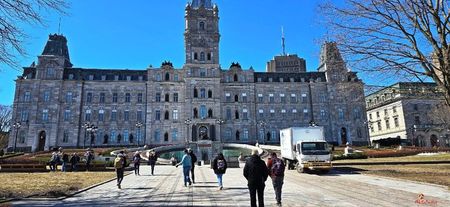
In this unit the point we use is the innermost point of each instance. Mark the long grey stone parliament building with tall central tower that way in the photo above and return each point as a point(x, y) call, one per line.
point(57, 103)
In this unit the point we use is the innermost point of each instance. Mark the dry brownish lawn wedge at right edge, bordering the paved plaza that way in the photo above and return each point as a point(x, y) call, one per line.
point(430, 173)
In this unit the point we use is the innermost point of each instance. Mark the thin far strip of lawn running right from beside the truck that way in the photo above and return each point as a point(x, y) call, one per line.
point(442, 156)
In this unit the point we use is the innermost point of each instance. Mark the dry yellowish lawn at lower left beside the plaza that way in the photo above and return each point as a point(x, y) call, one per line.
point(53, 184)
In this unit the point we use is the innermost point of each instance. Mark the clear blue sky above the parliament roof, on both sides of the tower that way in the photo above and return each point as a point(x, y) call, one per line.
point(134, 34)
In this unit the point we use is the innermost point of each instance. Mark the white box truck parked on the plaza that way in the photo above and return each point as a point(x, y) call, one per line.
point(305, 148)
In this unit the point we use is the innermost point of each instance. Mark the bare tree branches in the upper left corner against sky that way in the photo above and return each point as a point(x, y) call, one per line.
point(14, 14)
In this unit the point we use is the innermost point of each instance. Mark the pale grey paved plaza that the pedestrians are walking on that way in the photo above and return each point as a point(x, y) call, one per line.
point(334, 189)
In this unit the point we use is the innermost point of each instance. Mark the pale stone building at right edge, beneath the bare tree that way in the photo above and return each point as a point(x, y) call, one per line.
point(407, 110)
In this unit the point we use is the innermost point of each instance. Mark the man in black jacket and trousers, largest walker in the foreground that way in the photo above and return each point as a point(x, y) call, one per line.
point(256, 173)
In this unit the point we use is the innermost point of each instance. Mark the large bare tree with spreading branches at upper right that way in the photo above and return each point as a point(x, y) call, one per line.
point(403, 38)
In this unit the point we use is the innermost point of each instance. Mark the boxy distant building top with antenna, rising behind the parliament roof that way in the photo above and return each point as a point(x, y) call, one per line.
point(286, 64)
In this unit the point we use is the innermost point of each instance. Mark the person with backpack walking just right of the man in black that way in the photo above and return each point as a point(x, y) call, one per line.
point(276, 171)
